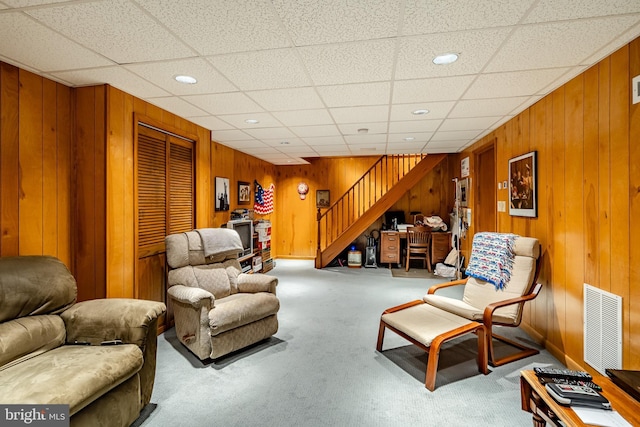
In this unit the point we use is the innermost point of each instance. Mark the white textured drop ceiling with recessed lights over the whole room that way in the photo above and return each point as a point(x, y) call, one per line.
point(322, 78)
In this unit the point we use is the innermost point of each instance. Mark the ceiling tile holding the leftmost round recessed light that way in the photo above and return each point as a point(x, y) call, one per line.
point(163, 73)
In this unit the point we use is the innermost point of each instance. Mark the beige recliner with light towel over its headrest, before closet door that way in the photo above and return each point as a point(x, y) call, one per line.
point(217, 309)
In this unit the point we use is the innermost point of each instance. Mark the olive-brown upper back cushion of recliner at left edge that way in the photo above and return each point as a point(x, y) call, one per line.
point(31, 285)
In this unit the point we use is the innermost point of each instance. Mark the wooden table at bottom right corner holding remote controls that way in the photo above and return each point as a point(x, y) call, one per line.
point(535, 399)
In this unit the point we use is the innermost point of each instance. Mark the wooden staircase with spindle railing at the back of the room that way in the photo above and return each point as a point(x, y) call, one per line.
point(367, 200)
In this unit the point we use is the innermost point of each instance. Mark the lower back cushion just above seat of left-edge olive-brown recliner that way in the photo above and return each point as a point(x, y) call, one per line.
point(27, 337)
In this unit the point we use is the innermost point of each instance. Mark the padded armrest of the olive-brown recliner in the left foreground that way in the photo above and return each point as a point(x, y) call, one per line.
point(100, 320)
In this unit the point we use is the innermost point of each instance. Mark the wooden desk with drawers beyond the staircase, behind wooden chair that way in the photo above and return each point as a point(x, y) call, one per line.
point(391, 243)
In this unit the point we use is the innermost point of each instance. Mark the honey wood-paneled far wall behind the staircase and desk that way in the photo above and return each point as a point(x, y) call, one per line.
point(296, 218)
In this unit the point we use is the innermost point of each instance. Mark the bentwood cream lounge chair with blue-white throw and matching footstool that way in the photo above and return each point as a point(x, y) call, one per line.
point(503, 270)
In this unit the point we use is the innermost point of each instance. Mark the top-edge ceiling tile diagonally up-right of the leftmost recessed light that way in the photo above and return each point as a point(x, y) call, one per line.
point(219, 26)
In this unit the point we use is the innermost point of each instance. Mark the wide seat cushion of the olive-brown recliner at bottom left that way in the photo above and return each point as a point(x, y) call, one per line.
point(73, 375)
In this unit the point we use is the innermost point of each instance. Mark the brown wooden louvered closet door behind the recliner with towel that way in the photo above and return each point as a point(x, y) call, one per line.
point(165, 197)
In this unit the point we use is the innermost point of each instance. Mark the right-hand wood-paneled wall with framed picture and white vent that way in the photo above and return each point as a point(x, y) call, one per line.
point(586, 135)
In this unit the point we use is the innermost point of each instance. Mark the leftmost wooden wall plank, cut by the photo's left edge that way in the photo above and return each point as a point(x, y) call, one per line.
point(9, 160)
